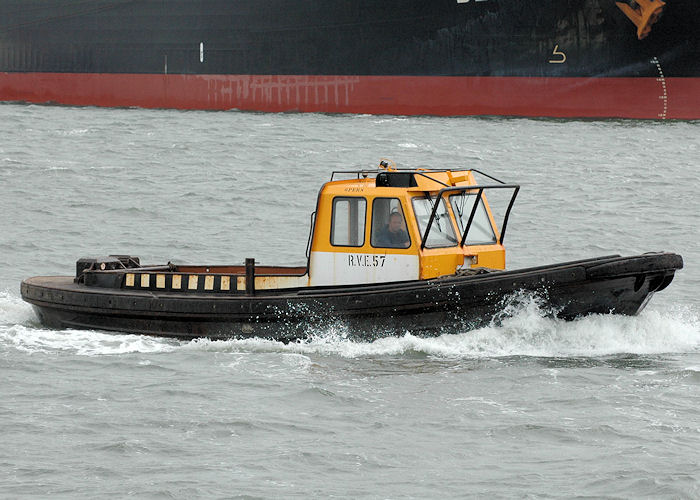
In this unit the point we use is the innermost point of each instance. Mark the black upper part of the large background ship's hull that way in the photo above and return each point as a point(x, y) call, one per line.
point(336, 37)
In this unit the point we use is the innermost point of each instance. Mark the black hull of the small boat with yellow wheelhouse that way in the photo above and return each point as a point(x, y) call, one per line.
point(617, 285)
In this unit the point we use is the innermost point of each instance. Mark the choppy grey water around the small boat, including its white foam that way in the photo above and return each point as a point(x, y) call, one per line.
point(603, 407)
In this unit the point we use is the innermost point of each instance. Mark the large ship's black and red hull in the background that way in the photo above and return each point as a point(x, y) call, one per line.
point(561, 59)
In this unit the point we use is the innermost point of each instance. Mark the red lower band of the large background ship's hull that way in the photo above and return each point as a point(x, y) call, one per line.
point(645, 98)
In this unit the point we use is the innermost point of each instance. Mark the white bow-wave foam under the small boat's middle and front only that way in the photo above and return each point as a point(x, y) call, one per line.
point(529, 332)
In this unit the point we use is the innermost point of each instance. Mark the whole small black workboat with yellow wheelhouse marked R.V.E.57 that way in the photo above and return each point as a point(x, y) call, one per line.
point(390, 251)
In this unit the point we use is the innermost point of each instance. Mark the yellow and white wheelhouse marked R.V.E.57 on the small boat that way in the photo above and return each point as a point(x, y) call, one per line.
point(400, 225)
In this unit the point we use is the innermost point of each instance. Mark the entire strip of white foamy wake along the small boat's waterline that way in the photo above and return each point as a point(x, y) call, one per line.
point(528, 331)
